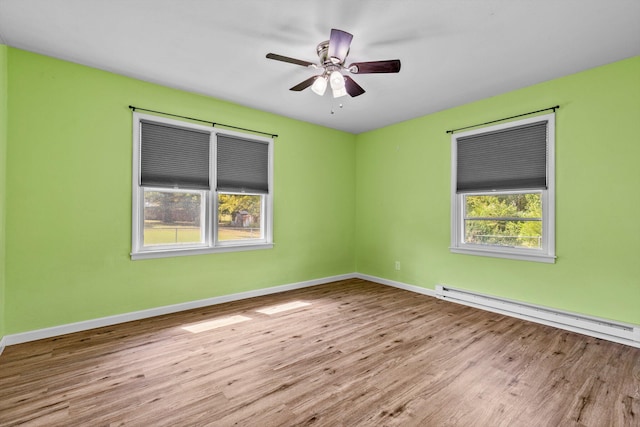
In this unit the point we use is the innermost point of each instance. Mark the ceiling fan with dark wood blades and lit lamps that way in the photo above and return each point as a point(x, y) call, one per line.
point(332, 54)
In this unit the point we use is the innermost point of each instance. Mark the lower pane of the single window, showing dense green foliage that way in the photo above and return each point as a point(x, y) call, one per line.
point(513, 220)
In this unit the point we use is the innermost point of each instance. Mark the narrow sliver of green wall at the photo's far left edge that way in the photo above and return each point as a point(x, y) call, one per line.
point(3, 174)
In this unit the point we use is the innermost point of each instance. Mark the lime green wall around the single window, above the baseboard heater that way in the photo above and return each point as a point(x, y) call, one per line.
point(403, 198)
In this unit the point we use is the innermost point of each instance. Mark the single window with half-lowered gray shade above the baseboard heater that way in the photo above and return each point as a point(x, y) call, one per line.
point(502, 202)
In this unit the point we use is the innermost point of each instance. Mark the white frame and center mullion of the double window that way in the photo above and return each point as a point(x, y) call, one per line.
point(209, 201)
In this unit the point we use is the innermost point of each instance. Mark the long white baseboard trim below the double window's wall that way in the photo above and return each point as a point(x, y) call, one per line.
point(54, 331)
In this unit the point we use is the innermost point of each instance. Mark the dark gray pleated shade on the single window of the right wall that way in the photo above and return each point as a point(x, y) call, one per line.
point(509, 159)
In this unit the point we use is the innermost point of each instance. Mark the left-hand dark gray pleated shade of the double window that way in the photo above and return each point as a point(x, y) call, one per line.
point(173, 156)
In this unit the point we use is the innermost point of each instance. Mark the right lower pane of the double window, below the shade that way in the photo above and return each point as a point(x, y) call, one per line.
point(239, 217)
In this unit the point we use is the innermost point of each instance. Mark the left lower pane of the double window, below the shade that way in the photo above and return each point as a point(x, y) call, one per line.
point(172, 218)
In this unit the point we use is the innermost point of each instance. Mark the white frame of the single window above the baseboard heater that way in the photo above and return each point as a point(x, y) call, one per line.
point(544, 254)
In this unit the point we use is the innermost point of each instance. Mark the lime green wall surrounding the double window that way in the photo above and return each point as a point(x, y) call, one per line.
point(69, 200)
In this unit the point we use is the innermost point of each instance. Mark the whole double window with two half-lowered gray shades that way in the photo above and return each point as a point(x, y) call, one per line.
point(198, 189)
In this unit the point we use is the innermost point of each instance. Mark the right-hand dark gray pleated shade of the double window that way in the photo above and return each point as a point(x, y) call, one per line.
point(242, 165)
